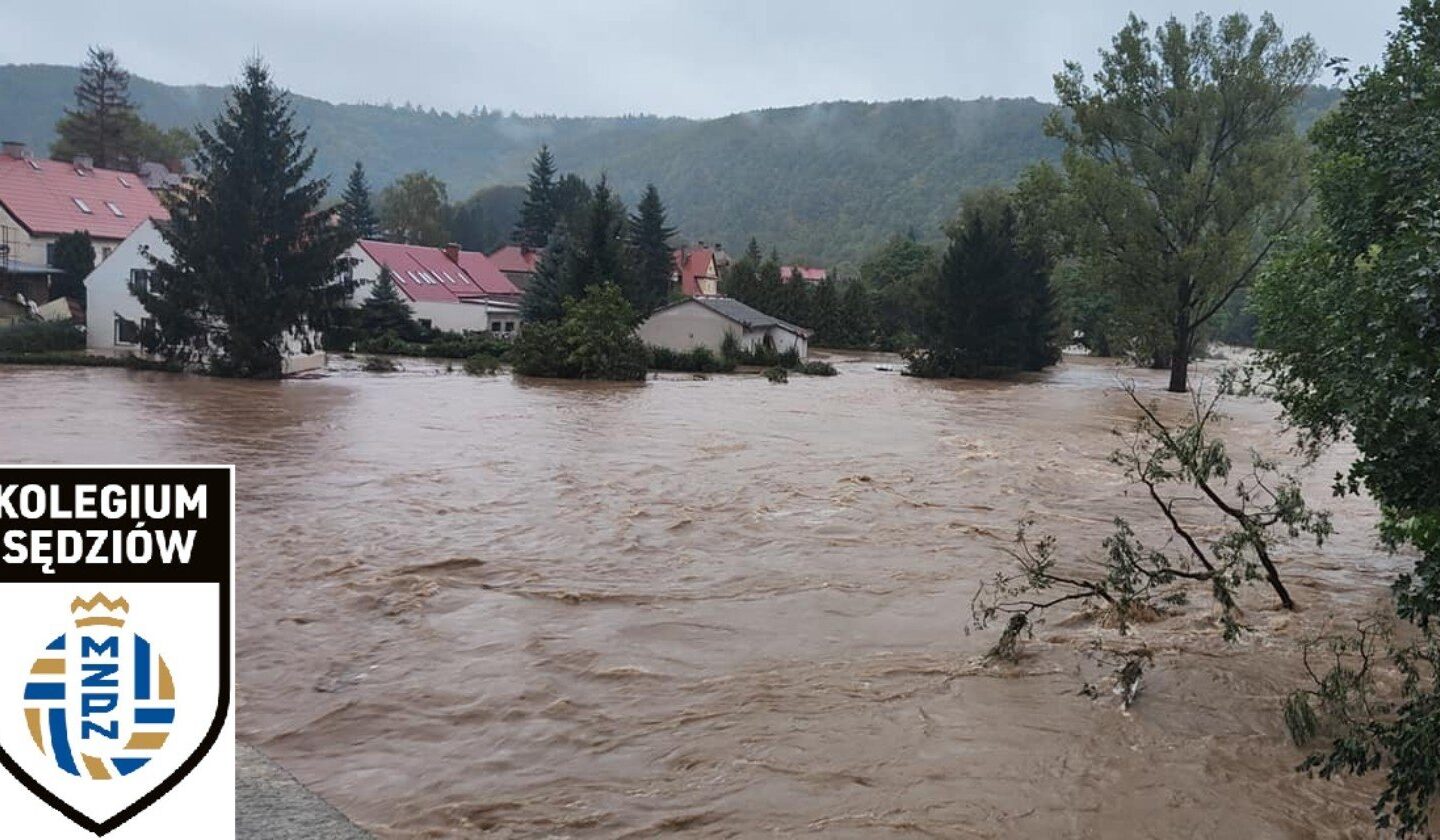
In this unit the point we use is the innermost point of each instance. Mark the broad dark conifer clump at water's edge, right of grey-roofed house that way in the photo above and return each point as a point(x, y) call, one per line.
point(993, 312)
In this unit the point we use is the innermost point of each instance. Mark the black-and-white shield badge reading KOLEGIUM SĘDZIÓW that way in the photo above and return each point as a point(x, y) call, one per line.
point(116, 610)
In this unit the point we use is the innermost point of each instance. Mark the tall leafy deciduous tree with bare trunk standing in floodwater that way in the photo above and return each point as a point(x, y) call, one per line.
point(1184, 165)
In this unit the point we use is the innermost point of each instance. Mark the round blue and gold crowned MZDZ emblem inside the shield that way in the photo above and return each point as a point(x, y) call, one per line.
point(100, 701)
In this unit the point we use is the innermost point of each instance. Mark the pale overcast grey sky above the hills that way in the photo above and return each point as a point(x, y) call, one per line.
point(617, 57)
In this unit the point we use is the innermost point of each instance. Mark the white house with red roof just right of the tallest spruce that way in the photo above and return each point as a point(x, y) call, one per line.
point(449, 289)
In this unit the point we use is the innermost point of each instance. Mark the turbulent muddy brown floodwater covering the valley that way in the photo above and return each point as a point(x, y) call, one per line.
point(712, 609)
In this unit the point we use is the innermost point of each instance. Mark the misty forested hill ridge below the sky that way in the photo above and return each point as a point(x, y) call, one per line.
point(824, 184)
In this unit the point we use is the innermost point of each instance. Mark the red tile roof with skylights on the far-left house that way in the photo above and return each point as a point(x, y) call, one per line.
point(47, 198)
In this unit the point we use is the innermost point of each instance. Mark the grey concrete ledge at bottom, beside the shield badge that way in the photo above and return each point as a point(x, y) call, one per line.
point(270, 805)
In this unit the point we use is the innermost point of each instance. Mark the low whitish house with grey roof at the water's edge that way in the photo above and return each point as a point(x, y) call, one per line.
point(703, 322)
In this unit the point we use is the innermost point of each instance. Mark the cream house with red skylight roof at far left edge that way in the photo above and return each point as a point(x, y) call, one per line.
point(44, 200)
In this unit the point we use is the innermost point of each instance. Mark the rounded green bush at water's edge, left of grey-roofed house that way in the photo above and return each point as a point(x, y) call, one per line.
point(595, 339)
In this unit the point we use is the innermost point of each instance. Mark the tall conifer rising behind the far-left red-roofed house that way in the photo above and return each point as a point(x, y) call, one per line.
point(103, 117)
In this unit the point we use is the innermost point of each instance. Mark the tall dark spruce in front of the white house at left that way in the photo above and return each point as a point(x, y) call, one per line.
point(254, 262)
